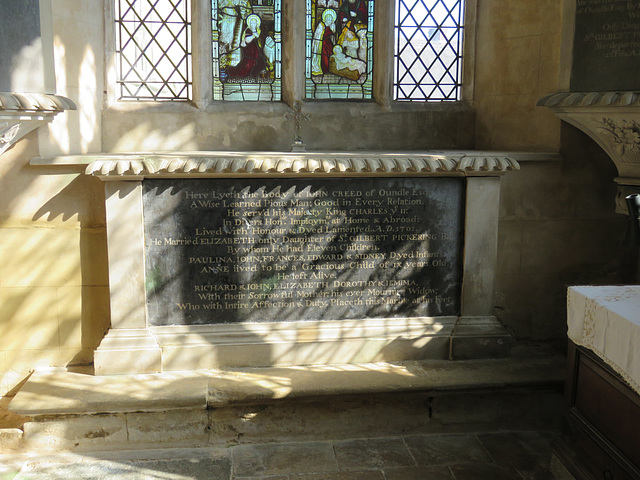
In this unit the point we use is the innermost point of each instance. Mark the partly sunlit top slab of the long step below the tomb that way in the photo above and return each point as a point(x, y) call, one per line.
point(62, 392)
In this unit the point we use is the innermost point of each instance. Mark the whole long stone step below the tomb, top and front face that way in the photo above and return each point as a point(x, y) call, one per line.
point(74, 410)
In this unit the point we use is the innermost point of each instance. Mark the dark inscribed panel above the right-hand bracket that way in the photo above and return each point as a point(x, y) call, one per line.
point(606, 48)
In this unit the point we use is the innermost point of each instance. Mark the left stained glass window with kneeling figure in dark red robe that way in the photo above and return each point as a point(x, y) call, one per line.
point(247, 52)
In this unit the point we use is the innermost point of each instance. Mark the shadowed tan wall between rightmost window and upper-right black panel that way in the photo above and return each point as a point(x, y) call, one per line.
point(517, 61)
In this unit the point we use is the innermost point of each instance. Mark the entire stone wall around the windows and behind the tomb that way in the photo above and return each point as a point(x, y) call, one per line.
point(557, 223)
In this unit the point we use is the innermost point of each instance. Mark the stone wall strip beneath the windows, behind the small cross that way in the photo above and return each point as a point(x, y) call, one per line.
point(265, 128)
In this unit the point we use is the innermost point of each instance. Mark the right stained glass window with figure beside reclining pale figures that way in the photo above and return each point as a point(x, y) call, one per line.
point(339, 47)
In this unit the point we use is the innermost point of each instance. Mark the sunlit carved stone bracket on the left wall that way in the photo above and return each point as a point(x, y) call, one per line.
point(21, 113)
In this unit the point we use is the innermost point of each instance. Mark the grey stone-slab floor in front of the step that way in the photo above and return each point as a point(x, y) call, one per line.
point(479, 456)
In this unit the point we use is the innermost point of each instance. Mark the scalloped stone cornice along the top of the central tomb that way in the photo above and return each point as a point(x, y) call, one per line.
point(217, 164)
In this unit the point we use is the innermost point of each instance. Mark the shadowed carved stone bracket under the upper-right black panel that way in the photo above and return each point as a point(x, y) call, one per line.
point(612, 119)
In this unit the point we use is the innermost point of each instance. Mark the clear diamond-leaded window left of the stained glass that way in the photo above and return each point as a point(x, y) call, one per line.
point(153, 47)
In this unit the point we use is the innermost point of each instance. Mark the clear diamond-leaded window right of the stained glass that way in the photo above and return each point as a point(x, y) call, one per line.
point(428, 50)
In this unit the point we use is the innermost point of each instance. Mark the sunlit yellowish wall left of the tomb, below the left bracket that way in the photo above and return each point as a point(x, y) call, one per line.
point(53, 271)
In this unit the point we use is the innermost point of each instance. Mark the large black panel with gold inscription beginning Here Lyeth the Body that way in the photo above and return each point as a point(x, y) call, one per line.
point(264, 250)
